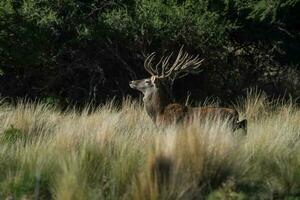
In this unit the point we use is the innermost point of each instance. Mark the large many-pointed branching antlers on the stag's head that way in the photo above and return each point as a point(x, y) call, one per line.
point(182, 66)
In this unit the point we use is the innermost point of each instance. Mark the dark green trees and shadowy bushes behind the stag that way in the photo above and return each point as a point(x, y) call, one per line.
point(79, 51)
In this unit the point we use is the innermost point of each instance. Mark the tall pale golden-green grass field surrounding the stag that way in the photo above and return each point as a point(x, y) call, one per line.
point(117, 153)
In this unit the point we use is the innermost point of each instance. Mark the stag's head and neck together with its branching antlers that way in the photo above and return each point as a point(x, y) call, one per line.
point(157, 89)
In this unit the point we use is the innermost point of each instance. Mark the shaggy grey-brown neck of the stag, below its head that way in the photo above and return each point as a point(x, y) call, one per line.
point(156, 101)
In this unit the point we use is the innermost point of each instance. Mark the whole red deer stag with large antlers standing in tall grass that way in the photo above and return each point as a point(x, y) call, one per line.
point(157, 90)
